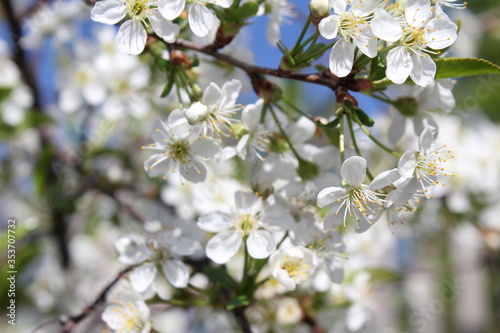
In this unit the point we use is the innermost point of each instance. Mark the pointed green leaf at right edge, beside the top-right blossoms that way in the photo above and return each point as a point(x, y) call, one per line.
point(460, 67)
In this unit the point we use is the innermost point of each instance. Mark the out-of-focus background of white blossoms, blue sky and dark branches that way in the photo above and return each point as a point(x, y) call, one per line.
point(74, 113)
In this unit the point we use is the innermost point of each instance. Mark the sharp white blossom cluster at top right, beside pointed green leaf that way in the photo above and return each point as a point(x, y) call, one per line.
point(413, 30)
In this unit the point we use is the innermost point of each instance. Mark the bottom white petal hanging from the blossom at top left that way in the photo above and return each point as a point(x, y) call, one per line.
point(131, 37)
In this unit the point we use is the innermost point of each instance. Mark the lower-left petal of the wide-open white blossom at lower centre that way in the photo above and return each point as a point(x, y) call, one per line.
point(223, 246)
